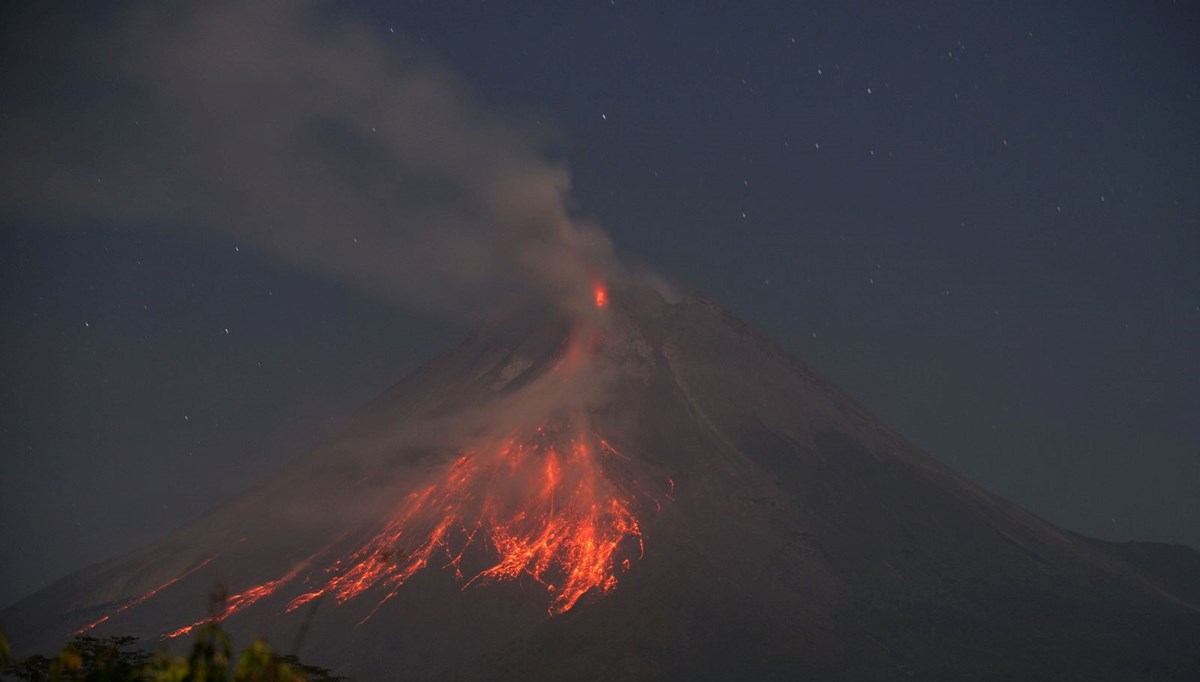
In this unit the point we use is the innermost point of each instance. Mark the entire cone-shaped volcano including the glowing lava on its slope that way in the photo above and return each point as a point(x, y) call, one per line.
point(656, 492)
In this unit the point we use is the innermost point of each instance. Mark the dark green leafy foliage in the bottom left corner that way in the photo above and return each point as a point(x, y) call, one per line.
point(117, 660)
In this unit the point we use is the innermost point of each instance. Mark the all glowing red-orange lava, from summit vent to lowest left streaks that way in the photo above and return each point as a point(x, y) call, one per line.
point(537, 505)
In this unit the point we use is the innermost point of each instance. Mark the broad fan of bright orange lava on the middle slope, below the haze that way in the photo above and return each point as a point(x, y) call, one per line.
point(539, 508)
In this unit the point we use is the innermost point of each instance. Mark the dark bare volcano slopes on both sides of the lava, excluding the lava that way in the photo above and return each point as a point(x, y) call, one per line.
point(787, 531)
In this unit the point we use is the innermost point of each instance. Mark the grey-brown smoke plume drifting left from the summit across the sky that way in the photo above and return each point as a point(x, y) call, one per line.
point(320, 141)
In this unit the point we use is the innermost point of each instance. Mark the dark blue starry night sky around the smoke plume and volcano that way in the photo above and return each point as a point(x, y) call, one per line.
point(982, 222)
